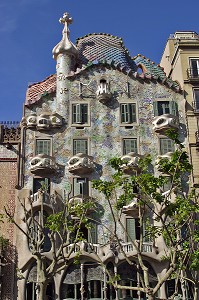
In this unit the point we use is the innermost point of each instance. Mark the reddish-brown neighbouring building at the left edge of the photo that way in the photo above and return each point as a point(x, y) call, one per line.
point(10, 136)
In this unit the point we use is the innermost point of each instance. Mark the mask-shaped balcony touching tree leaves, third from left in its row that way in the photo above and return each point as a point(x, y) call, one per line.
point(130, 165)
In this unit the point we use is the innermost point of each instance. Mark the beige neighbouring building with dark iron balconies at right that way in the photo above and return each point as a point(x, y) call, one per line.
point(180, 60)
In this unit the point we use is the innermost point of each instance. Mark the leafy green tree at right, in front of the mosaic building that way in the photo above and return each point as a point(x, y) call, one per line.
point(174, 214)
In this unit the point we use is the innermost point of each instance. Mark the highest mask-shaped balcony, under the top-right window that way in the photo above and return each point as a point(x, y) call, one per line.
point(164, 122)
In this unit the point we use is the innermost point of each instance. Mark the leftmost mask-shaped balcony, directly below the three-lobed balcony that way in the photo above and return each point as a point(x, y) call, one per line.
point(43, 165)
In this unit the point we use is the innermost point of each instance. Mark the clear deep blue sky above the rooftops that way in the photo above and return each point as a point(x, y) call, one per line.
point(29, 29)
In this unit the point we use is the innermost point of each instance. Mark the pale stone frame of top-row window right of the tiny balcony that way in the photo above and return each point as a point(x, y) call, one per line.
point(131, 122)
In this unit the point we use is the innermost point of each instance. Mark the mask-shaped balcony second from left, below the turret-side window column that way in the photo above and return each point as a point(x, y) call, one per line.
point(81, 164)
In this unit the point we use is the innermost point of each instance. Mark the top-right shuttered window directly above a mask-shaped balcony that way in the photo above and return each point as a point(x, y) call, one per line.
point(165, 107)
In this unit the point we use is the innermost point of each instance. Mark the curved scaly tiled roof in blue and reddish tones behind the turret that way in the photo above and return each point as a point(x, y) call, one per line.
point(96, 49)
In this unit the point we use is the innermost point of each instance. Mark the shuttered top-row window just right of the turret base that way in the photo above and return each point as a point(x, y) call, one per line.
point(80, 113)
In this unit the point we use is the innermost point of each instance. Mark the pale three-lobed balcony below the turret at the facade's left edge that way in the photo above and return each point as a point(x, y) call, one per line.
point(45, 121)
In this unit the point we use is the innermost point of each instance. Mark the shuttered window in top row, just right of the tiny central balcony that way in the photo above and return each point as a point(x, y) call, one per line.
point(128, 113)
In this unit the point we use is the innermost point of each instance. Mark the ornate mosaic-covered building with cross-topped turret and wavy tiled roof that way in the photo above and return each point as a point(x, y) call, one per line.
point(100, 103)
